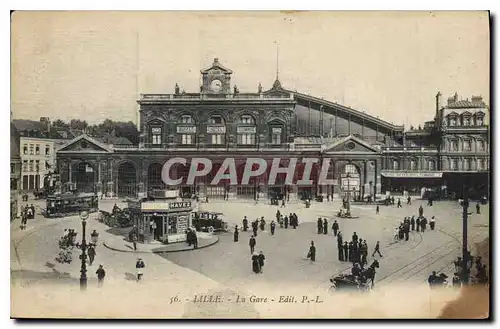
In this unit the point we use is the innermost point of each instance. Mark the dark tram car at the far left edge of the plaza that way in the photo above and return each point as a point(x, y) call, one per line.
point(71, 204)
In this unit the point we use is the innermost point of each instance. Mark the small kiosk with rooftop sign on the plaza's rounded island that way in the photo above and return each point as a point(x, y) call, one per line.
point(162, 217)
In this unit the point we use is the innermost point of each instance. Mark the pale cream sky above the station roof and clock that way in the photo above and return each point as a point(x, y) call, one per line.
point(94, 65)
